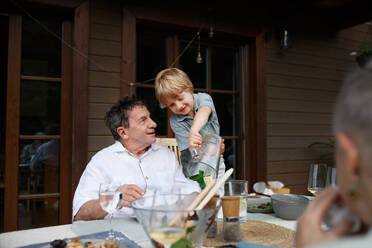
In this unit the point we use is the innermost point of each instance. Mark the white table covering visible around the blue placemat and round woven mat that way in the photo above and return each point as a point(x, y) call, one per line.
point(129, 226)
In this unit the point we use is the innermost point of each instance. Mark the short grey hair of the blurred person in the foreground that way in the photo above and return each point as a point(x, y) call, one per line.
point(353, 111)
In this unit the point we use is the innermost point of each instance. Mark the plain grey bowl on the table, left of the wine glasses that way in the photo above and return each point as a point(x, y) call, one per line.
point(288, 206)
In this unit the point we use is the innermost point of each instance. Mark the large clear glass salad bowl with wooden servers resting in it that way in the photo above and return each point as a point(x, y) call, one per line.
point(167, 220)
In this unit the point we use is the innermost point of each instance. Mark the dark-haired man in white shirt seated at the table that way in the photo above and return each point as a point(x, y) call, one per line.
point(134, 160)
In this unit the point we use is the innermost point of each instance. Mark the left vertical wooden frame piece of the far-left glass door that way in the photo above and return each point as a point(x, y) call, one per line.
point(12, 123)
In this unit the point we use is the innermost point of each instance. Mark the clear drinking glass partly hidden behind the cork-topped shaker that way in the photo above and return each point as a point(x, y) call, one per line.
point(239, 188)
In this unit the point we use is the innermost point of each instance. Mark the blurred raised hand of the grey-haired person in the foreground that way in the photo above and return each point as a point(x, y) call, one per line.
point(309, 230)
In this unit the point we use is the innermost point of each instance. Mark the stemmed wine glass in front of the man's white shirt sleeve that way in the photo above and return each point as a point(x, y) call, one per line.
point(110, 199)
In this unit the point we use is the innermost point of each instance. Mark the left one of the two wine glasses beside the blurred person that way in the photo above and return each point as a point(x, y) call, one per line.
point(317, 178)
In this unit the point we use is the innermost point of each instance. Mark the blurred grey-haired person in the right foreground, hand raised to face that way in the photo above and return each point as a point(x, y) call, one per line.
point(353, 131)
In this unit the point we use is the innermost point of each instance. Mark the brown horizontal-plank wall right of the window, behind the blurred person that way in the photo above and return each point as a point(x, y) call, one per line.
point(302, 85)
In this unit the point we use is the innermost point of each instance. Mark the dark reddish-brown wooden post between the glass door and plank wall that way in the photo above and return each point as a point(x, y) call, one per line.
point(80, 93)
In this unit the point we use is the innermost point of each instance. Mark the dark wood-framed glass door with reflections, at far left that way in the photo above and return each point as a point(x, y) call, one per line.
point(36, 122)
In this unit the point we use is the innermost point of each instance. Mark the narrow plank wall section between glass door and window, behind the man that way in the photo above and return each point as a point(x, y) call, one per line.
point(104, 70)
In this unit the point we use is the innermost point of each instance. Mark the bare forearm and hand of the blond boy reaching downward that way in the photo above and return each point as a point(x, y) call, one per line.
point(200, 119)
